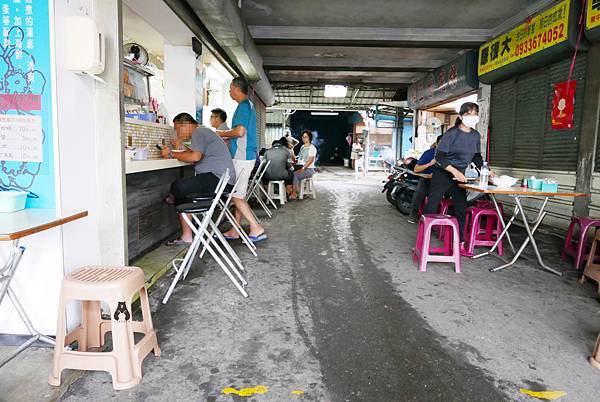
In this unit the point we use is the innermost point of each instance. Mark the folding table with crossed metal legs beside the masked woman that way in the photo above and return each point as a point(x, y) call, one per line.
point(531, 226)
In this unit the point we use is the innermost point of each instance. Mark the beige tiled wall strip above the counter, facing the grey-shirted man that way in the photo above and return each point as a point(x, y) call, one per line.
point(141, 134)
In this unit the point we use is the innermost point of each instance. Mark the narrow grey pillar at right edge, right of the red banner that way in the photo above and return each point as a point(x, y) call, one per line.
point(589, 131)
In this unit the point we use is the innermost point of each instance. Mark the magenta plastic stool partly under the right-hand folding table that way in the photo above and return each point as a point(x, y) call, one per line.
point(477, 234)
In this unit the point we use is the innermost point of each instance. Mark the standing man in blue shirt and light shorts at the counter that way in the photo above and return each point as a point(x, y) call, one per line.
point(242, 146)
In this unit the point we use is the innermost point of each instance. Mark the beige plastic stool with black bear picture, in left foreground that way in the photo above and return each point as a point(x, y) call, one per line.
point(115, 286)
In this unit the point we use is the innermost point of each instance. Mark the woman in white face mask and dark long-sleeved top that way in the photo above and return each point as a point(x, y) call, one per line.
point(459, 146)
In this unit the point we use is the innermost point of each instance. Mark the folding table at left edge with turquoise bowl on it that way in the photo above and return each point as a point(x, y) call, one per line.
point(13, 227)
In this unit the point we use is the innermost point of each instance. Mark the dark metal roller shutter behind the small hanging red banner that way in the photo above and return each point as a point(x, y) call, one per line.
point(520, 123)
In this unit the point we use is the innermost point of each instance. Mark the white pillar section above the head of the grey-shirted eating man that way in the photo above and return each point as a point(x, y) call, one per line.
point(180, 80)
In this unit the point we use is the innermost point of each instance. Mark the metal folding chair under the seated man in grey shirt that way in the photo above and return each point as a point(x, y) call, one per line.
point(205, 210)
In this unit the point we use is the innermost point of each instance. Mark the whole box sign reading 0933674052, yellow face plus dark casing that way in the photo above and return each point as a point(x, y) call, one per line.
point(543, 39)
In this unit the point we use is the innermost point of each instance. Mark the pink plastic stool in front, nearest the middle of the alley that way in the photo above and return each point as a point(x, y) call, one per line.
point(450, 251)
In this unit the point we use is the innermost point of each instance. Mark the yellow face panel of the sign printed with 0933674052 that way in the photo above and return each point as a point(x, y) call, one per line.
point(541, 32)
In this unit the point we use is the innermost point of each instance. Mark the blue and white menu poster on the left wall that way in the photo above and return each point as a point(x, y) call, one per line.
point(26, 143)
